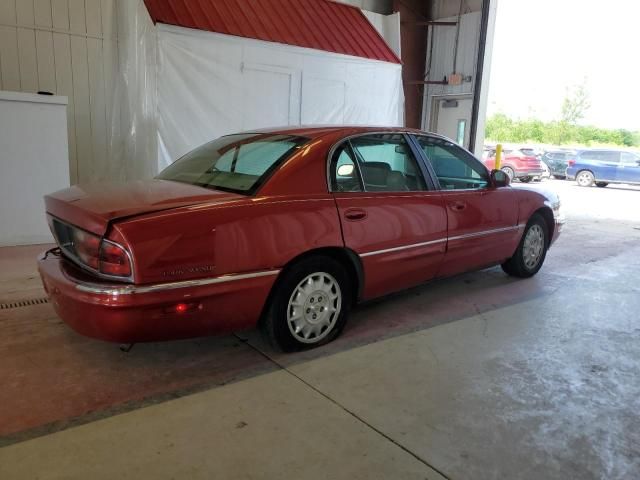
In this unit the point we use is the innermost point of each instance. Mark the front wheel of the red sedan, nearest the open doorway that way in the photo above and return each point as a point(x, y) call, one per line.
point(531, 251)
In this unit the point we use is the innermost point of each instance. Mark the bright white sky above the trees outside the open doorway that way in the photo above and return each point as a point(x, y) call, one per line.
point(543, 47)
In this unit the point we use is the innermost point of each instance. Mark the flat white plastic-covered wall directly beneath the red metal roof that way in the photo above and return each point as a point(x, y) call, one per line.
point(212, 84)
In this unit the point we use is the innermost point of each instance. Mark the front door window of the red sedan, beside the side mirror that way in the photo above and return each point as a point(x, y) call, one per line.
point(455, 168)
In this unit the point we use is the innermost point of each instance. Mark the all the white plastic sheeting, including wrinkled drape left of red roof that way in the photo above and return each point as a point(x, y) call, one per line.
point(179, 88)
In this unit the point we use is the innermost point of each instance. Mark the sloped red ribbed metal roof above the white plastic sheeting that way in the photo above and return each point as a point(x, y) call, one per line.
point(320, 24)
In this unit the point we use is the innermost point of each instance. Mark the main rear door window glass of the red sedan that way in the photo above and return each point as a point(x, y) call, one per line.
point(386, 163)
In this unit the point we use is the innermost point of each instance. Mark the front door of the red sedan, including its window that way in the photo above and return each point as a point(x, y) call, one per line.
point(482, 220)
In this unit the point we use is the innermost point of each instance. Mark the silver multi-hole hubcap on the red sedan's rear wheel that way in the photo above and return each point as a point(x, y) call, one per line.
point(314, 307)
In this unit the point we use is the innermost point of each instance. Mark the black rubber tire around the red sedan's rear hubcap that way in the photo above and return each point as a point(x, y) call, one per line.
point(275, 325)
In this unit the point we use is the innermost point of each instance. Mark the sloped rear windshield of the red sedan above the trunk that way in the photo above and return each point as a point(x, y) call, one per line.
point(235, 163)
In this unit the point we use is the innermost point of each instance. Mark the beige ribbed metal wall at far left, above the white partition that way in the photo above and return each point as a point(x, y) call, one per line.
point(67, 47)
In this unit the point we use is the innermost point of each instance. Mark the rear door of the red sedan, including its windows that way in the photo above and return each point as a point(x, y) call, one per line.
point(389, 214)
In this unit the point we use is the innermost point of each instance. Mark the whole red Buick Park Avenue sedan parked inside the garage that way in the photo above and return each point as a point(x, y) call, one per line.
point(287, 229)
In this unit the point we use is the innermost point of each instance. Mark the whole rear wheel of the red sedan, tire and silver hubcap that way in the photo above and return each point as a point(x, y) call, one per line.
point(310, 304)
